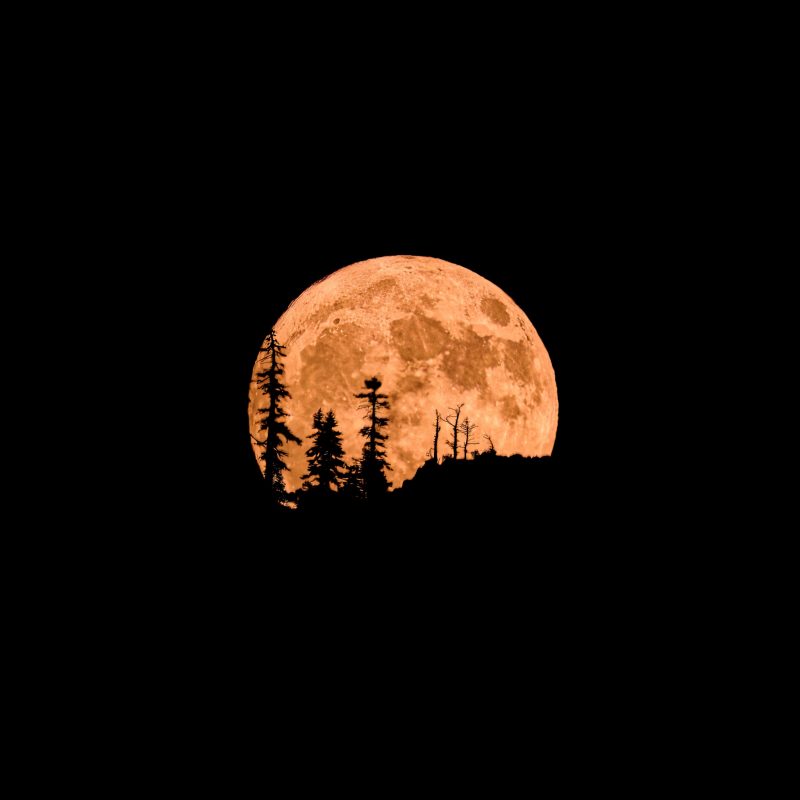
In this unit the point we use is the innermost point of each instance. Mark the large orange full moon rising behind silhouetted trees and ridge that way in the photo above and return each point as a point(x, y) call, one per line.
point(436, 335)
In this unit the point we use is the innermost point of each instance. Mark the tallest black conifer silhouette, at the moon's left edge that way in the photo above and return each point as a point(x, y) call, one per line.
point(270, 381)
